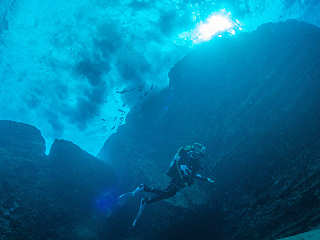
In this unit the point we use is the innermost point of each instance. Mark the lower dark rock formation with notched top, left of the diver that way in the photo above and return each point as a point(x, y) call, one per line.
point(48, 197)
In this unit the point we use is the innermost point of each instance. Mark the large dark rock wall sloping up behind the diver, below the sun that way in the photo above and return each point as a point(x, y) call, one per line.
point(254, 101)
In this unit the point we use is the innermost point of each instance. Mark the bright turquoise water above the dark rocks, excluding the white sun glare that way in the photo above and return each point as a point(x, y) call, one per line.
point(66, 62)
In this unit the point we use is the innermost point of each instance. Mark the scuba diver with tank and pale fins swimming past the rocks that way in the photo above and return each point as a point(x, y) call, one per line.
point(183, 170)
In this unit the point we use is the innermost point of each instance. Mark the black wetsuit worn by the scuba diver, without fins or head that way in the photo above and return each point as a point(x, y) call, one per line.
point(178, 179)
